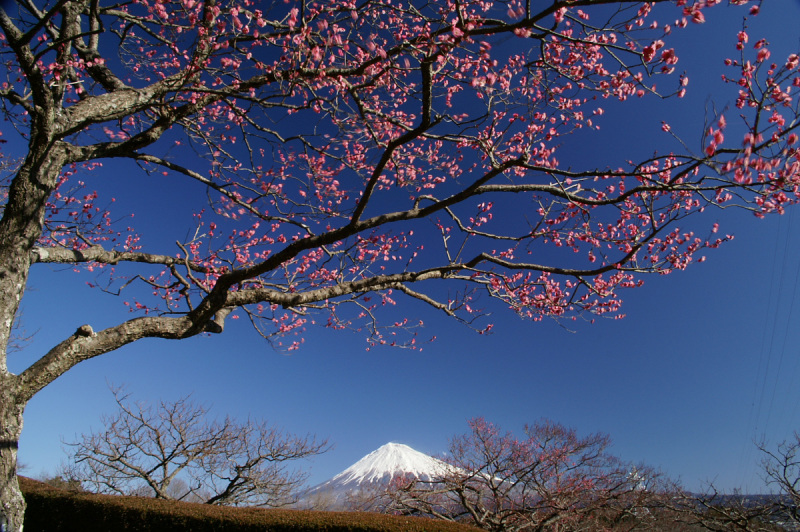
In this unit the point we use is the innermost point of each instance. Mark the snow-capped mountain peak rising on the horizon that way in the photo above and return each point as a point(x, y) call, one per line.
point(368, 477)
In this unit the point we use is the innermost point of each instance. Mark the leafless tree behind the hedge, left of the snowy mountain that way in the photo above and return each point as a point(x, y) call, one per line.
point(173, 451)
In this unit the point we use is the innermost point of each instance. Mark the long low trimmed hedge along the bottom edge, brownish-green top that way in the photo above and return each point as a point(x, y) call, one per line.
point(55, 510)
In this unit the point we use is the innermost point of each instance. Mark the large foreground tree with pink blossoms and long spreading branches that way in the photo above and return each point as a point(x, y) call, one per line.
point(354, 154)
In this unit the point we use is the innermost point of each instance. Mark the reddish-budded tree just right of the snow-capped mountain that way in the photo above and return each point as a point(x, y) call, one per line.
point(549, 479)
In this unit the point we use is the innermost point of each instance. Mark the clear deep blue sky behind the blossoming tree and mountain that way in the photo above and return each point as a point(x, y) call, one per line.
point(706, 361)
